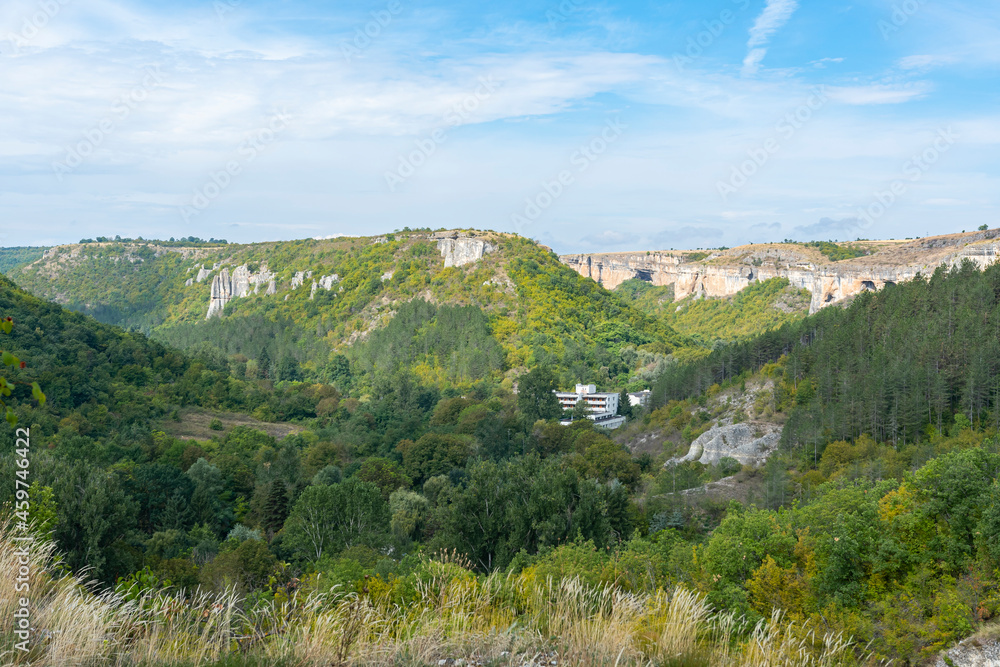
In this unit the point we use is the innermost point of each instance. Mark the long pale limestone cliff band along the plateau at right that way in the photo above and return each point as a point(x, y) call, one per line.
point(726, 272)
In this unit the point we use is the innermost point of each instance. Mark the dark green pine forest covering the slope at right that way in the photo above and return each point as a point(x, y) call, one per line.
point(893, 365)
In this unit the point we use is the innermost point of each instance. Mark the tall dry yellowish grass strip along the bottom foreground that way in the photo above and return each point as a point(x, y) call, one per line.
point(493, 620)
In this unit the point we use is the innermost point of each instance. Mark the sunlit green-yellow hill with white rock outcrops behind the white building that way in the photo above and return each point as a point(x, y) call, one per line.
point(535, 310)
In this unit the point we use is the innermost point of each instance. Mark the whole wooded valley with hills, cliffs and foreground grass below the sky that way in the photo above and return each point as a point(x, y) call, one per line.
point(347, 426)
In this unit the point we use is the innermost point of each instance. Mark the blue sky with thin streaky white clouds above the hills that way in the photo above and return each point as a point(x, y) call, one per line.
point(589, 126)
